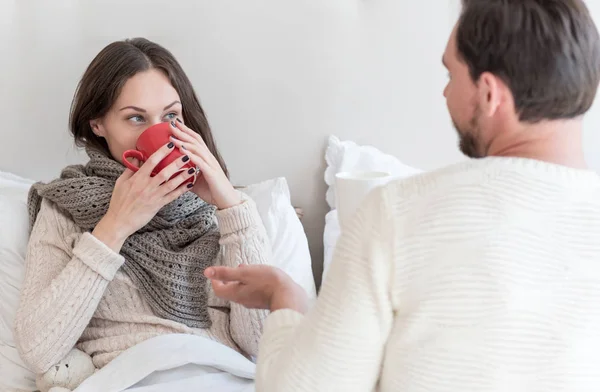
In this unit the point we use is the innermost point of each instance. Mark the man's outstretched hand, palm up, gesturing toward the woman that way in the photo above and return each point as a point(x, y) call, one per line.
point(258, 287)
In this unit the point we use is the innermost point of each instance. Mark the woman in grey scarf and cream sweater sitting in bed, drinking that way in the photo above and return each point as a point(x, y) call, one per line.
point(117, 257)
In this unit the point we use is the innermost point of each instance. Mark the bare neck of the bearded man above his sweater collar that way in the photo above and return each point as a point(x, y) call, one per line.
point(559, 142)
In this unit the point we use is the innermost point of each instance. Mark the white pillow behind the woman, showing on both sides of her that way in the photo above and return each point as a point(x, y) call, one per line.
point(286, 234)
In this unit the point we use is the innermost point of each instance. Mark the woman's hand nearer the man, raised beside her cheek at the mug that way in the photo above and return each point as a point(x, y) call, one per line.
point(212, 184)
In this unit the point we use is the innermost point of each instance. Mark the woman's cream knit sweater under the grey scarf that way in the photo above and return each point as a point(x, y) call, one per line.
point(75, 295)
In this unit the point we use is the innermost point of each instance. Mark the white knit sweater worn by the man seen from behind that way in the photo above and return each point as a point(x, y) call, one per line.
point(484, 276)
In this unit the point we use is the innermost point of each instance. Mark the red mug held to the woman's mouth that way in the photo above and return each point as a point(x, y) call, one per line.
point(151, 140)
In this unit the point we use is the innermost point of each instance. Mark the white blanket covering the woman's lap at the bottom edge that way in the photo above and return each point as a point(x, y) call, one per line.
point(175, 363)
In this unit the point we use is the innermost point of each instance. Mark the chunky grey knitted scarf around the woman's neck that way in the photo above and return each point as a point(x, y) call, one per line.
point(166, 258)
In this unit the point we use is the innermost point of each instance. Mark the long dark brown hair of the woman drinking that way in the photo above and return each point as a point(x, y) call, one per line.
point(104, 78)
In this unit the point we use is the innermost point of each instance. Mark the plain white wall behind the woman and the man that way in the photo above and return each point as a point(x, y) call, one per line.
point(276, 77)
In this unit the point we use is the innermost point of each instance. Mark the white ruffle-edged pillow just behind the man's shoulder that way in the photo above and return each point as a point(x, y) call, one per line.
point(342, 156)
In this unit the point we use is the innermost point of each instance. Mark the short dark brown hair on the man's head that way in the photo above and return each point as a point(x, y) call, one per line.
point(546, 51)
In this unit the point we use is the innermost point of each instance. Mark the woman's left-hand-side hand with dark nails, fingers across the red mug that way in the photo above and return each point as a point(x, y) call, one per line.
point(137, 197)
